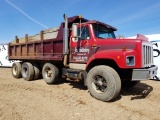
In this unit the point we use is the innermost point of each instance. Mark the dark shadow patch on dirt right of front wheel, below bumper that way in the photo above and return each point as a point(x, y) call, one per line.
point(140, 91)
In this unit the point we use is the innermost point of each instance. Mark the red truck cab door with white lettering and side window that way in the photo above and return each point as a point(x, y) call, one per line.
point(80, 48)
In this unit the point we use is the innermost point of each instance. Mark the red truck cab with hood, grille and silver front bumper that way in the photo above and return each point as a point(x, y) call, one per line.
point(94, 42)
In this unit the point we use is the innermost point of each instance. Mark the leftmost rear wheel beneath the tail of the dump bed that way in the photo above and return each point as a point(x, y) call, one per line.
point(16, 70)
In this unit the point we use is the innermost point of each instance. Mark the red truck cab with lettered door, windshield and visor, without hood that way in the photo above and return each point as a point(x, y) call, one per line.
point(86, 41)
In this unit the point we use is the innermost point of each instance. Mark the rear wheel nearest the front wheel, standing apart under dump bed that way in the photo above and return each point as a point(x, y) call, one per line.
point(50, 73)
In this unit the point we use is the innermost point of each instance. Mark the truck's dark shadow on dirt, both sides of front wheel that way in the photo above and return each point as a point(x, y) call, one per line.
point(140, 91)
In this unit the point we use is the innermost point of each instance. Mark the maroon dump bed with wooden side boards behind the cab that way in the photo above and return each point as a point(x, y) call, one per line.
point(39, 47)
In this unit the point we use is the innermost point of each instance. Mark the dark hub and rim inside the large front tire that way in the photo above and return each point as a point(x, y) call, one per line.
point(99, 84)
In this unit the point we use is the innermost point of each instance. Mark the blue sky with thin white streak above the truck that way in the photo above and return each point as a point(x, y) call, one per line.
point(20, 17)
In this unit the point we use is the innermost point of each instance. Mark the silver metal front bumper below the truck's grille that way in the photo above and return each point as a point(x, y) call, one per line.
point(144, 74)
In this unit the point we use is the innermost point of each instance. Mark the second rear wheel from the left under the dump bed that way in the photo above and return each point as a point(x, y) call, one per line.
point(27, 71)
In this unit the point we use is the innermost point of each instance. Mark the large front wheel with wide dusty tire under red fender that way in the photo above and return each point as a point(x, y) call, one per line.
point(103, 83)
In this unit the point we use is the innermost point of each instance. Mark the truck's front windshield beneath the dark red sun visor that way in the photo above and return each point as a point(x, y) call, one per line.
point(103, 32)
